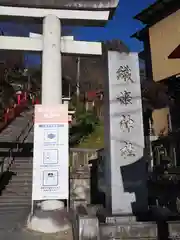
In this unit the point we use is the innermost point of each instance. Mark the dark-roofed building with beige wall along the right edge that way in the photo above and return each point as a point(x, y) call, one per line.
point(161, 40)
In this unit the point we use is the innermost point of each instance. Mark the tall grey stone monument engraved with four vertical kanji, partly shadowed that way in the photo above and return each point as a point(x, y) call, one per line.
point(124, 142)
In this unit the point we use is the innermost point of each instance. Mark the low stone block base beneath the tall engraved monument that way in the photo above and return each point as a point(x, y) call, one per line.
point(124, 227)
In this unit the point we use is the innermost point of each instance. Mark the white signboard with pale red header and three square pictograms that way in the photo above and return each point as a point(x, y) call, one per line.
point(51, 153)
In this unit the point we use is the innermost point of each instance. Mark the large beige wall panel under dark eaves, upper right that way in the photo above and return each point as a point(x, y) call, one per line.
point(164, 38)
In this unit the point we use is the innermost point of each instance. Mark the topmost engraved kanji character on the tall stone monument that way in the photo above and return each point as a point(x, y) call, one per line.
point(124, 73)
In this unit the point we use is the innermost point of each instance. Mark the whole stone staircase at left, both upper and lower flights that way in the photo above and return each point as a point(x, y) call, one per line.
point(16, 183)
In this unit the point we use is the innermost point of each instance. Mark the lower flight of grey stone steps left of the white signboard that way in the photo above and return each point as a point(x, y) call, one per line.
point(15, 199)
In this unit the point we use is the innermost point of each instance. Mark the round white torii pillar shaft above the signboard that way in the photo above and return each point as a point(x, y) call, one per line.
point(51, 61)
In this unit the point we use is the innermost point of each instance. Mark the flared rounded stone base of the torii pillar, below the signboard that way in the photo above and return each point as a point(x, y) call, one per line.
point(50, 217)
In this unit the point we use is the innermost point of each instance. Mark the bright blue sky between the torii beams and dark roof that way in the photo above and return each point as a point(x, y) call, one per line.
point(122, 26)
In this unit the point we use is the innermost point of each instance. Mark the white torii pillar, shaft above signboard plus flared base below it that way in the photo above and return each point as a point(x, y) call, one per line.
point(50, 218)
